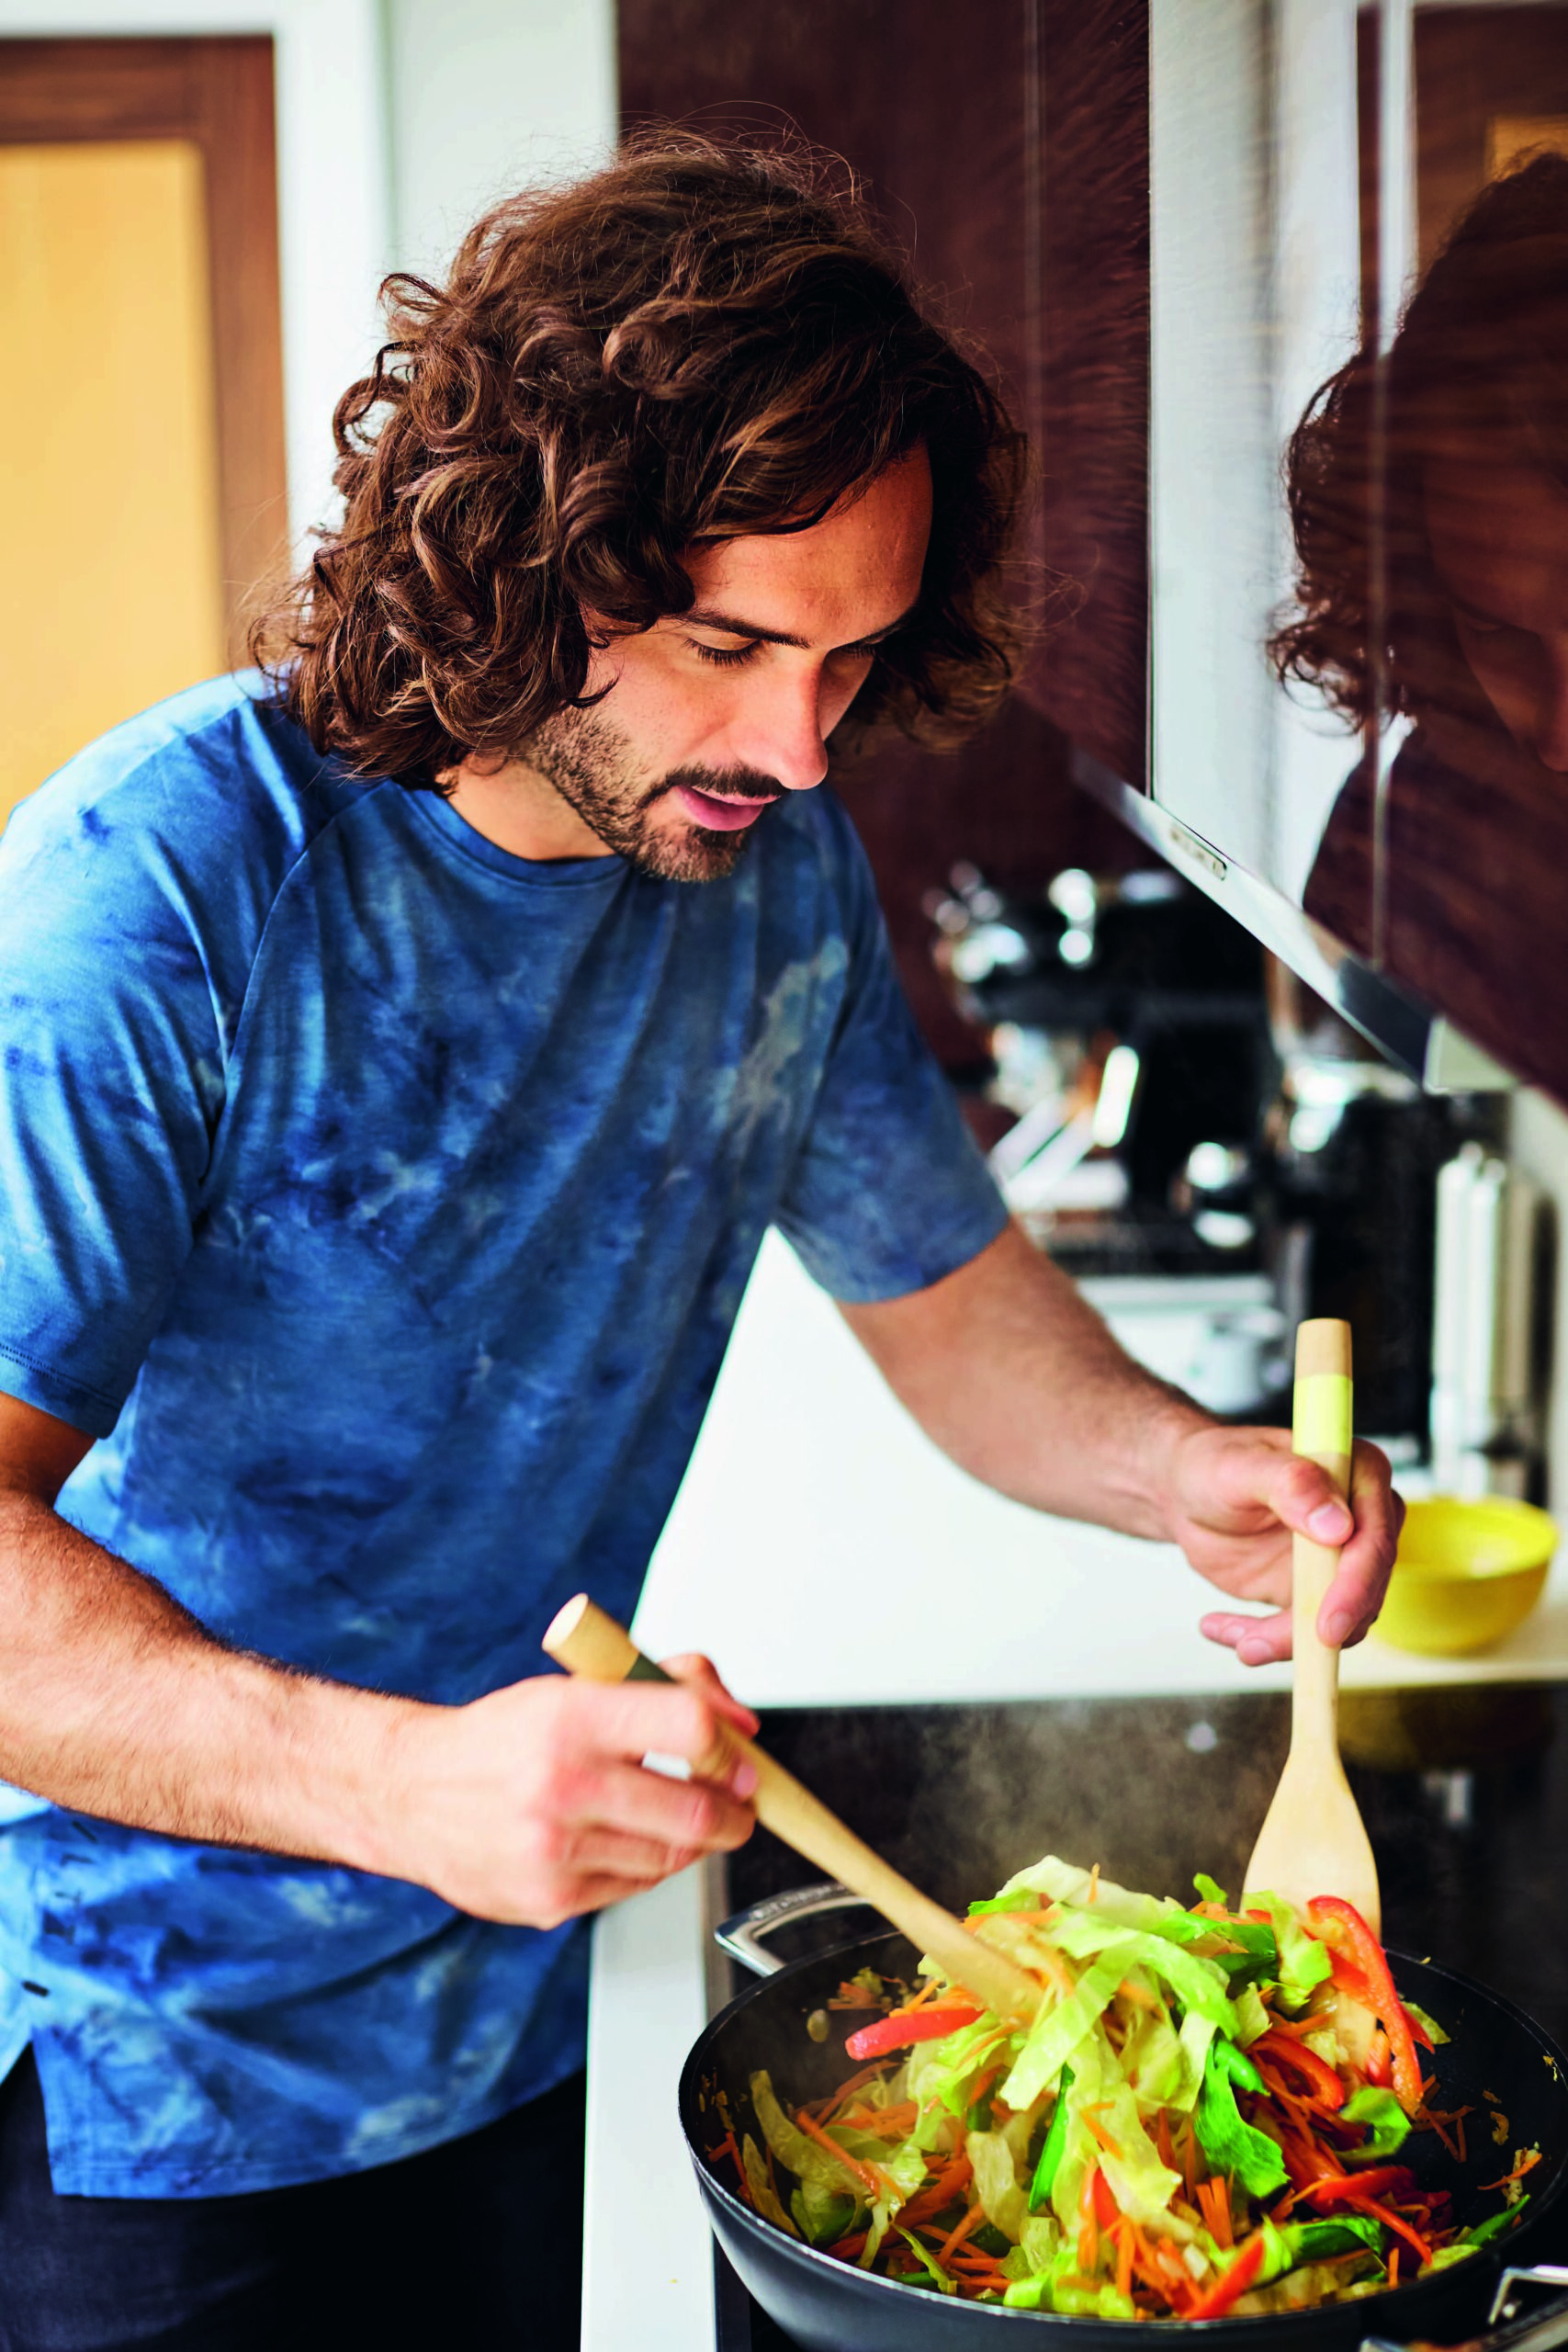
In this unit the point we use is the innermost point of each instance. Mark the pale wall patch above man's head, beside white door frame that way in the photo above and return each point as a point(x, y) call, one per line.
point(488, 98)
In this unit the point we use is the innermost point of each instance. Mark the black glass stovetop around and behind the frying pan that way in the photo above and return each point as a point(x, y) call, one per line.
point(1463, 1791)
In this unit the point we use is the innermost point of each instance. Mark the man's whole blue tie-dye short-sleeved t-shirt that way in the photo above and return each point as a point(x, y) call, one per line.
point(382, 1203)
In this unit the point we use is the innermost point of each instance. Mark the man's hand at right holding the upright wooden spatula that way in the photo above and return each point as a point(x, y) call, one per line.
point(1238, 1497)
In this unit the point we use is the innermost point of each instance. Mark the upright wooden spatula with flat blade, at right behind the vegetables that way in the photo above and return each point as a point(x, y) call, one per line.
point(1313, 1840)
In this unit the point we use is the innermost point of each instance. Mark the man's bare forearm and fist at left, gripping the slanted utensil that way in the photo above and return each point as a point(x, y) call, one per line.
point(525, 1805)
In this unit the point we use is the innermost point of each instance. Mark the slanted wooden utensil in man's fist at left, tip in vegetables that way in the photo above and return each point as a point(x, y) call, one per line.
point(589, 1643)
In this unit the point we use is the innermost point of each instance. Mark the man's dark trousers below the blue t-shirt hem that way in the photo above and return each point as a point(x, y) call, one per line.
point(462, 2250)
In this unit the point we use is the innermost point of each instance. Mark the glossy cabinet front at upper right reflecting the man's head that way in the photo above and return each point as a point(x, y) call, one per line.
point(1360, 462)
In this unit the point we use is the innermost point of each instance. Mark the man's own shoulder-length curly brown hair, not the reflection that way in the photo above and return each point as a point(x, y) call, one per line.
point(702, 342)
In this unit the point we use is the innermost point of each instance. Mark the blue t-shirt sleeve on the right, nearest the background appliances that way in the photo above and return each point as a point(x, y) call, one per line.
point(890, 1194)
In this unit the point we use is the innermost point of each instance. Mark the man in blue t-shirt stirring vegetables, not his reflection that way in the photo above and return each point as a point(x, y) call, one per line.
point(408, 1050)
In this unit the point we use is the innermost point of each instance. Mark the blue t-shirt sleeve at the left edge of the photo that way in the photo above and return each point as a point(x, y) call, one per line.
point(112, 1081)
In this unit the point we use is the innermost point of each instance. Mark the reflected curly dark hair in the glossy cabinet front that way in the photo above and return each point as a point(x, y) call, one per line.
point(1477, 370)
